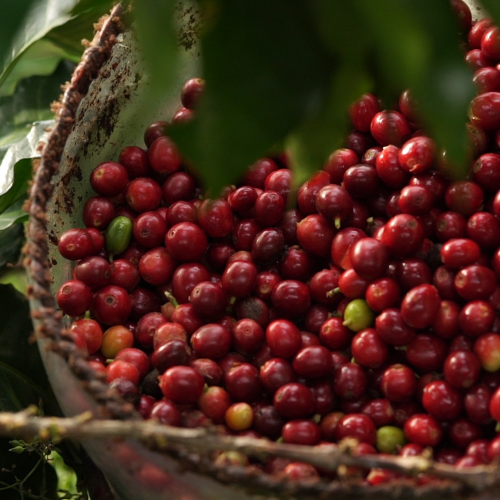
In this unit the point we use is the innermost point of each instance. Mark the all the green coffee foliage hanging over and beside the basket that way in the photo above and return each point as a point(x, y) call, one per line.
point(279, 74)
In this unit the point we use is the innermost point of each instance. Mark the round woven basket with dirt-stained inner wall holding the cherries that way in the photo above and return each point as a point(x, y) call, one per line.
point(106, 93)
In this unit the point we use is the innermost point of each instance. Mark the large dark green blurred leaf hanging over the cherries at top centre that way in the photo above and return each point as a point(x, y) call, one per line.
point(266, 70)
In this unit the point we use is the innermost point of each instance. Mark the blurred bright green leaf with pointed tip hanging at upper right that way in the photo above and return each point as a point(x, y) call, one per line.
point(418, 48)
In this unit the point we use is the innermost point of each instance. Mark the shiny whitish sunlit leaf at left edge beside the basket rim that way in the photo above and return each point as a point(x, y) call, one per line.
point(15, 168)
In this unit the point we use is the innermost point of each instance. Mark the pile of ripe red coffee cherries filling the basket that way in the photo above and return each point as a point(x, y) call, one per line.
point(364, 304)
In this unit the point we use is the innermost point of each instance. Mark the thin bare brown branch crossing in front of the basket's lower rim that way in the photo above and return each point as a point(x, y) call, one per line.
point(26, 425)
